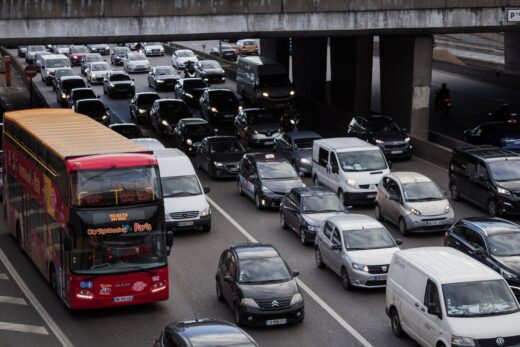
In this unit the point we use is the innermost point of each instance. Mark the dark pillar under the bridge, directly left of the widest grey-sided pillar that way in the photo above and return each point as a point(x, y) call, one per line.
point(351, 73)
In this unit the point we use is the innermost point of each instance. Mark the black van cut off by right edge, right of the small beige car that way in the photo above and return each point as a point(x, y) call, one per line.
point(487, 176)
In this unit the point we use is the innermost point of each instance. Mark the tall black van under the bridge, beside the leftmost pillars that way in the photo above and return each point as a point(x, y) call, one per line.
point(264, 82)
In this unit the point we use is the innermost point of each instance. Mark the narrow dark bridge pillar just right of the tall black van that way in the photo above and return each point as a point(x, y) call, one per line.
point(309, 66)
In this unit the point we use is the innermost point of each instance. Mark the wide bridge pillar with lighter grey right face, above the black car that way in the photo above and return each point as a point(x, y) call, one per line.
point(406, 74)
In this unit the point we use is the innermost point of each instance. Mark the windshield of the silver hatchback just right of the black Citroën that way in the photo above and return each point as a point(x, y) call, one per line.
point(367, 239)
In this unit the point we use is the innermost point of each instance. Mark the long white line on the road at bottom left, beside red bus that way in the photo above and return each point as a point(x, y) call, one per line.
point(62, 338)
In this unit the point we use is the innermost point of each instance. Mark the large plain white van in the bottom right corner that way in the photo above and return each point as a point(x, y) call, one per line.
point(441, 297)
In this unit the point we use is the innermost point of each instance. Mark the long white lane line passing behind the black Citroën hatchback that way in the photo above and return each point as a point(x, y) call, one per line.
point(305, 288)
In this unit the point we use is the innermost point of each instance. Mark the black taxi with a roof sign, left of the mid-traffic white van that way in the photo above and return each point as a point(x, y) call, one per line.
point(266, 178)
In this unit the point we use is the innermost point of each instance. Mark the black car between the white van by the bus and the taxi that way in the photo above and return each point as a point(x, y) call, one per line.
point(219, 156)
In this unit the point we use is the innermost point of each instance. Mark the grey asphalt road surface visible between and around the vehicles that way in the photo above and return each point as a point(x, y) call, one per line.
point(193, 264)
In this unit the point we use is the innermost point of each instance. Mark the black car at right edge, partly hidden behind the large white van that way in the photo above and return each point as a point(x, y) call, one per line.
point(492, 241)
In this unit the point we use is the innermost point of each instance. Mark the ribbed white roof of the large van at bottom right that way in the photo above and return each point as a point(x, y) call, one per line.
point(448, 265)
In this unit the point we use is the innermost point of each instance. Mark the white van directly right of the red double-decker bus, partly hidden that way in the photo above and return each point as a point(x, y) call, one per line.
point(185, 204)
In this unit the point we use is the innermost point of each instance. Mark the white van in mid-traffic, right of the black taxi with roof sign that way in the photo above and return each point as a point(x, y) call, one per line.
point(349, 166)
